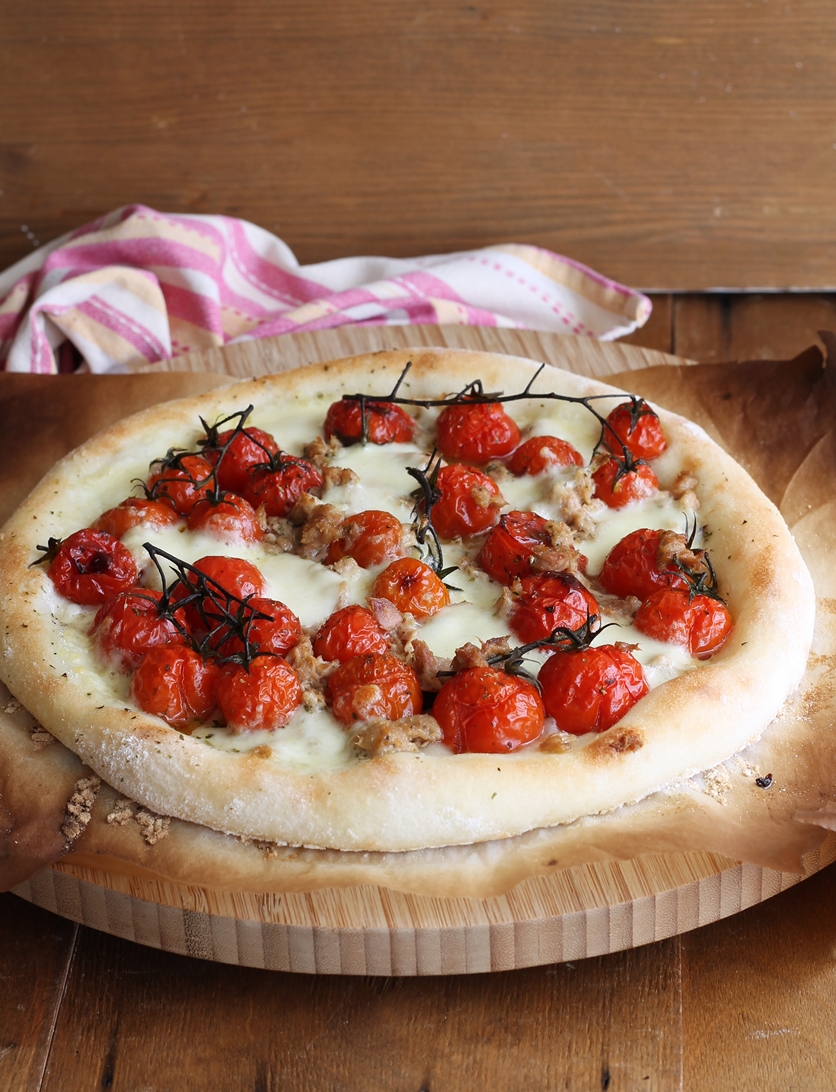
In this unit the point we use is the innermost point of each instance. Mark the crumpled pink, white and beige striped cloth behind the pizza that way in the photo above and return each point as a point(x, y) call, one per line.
point(140, 286)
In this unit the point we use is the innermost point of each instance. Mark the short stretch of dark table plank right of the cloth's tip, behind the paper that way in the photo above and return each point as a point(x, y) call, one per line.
point(749, 328)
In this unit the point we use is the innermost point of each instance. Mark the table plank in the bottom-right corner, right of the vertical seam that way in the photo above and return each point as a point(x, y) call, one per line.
point(758, 994)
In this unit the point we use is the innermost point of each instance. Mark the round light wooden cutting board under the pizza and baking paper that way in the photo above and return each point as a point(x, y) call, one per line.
point(580, 912)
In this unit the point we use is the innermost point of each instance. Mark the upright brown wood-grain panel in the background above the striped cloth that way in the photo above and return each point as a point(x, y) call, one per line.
point(673, 147)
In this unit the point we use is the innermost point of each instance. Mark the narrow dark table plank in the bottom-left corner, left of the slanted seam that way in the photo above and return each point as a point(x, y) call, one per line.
point(34, 963)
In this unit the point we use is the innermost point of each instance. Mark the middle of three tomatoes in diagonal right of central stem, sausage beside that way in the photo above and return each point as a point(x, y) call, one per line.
point(518, 543)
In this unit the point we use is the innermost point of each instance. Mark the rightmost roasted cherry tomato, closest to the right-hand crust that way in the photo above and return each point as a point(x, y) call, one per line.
point(700, 623)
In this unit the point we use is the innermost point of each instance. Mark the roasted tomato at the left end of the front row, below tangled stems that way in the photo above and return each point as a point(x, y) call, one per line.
point(175, 683)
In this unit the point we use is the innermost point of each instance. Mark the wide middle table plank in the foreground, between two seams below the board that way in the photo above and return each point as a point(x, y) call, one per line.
point(590, 1025)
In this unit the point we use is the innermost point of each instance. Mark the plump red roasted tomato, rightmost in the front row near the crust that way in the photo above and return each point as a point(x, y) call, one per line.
point(591, 690)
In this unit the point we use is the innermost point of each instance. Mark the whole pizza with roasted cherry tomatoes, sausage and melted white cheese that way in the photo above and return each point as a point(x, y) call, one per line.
point(400, 602)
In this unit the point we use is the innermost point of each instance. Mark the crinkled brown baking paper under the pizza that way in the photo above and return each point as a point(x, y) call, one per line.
point(775, 418)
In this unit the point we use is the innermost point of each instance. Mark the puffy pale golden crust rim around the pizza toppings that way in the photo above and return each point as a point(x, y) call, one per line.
point(411, 801)
